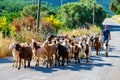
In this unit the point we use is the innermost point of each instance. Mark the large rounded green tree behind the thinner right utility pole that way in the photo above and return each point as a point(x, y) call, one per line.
point(76, 14)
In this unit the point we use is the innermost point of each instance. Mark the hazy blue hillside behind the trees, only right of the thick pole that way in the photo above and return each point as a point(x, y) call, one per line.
point(104, 3)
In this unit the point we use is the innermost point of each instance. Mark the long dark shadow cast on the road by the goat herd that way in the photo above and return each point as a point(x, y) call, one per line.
point(94, 62)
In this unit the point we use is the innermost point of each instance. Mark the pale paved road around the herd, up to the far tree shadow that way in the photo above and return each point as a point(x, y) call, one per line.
point(99, 68)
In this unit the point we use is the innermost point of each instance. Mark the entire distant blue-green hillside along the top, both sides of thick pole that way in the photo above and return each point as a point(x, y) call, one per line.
point(57, 3)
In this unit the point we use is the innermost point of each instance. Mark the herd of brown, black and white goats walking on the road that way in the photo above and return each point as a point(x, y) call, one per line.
point(56, 50)
